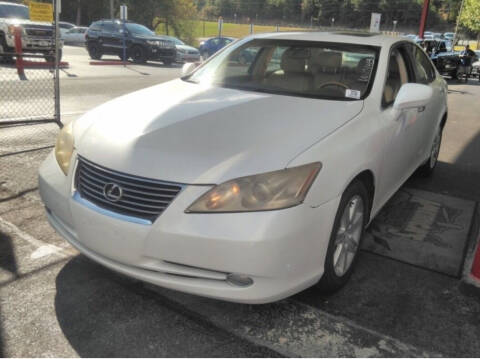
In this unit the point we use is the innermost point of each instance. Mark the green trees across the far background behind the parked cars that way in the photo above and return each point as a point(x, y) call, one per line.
point(178, 17)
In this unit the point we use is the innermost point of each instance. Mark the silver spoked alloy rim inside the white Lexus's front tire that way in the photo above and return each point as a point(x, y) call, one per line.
point(348, 236)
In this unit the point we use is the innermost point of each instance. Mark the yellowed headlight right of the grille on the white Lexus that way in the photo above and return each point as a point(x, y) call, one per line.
point(262, 192)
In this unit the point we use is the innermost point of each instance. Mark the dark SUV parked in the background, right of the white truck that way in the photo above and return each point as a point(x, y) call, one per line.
point(106, 37)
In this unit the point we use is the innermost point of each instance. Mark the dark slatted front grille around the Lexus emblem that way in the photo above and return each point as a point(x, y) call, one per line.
point(141, 197)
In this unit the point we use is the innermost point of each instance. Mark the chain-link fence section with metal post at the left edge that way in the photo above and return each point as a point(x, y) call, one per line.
point(29, 118)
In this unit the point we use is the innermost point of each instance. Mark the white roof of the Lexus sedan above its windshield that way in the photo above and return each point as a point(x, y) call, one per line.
point(347, 37)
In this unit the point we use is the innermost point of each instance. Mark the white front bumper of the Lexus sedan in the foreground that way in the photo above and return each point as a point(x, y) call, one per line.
point(282, 251)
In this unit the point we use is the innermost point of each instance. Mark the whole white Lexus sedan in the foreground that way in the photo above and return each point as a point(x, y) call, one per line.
point(249, 182)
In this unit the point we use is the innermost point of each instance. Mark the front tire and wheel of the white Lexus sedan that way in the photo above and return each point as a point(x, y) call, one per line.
point(346, 238)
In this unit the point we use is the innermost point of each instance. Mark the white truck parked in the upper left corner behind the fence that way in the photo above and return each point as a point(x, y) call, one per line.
point(37, 37)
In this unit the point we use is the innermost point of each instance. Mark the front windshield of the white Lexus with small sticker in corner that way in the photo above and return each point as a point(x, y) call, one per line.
point(297, 68)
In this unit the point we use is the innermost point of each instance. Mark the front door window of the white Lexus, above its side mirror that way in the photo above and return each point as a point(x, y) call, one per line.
point(397, 75)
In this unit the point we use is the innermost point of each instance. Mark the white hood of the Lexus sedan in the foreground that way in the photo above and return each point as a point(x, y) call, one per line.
point(188, 133)
